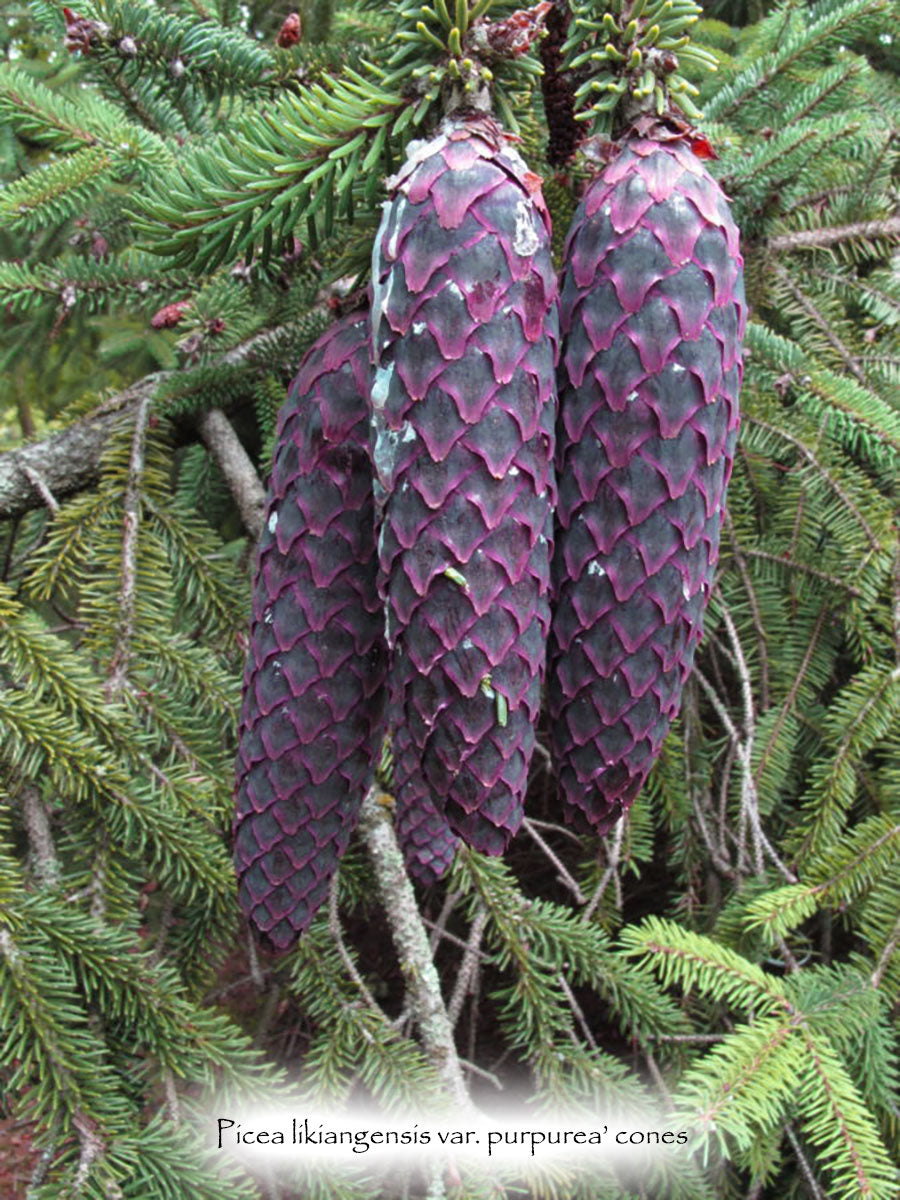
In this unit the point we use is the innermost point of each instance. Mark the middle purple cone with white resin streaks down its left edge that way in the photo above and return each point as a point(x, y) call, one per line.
point(465, 345)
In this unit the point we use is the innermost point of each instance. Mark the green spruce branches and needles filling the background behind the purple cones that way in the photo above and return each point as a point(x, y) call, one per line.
point(176, 231)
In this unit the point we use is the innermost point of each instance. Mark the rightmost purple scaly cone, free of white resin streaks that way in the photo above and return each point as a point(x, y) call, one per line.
point(653, 315)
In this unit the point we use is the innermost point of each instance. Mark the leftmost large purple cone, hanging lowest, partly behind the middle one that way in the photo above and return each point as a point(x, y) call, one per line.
point(314, 682)
